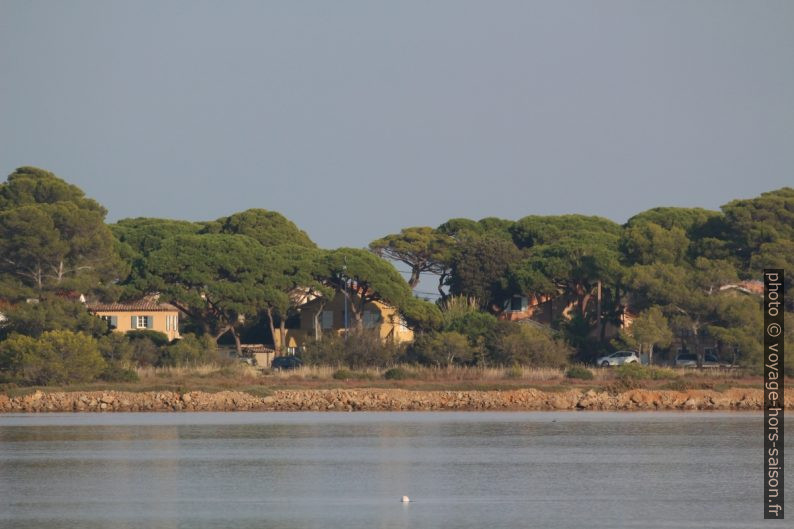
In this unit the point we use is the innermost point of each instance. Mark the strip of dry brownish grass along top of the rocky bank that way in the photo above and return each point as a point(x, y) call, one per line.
point(242, 377)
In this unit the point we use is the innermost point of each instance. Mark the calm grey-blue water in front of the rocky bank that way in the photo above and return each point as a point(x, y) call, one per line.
point(349, 470)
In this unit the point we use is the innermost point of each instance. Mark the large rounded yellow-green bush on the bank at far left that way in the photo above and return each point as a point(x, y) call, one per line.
point(57, 357)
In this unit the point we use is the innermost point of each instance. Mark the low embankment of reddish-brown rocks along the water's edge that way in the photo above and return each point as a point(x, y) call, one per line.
point(386, 400)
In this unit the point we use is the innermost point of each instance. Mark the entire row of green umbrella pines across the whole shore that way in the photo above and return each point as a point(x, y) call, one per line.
point(667, 266)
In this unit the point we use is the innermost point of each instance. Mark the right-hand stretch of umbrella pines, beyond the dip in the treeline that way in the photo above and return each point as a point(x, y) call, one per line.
point(667, 266)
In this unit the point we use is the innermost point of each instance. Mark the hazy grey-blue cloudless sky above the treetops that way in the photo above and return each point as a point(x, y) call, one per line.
point(355, 119)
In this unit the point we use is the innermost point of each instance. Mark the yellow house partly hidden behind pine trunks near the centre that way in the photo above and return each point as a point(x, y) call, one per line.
point(315, 319)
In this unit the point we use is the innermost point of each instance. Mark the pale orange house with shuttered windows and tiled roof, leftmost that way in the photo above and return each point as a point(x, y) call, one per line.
point(139, 315)
